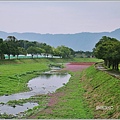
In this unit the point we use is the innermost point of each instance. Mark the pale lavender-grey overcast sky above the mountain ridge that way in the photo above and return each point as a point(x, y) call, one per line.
point(56, 17)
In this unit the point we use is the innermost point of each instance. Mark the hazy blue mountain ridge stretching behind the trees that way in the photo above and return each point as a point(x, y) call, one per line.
point(80, 41)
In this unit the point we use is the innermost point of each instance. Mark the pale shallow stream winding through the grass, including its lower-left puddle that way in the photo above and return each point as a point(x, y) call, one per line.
point(47, 82)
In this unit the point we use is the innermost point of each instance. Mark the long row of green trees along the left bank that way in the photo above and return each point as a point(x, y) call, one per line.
point(12, 46)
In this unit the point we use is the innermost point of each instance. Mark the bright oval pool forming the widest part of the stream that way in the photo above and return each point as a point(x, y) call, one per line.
point(48, 82)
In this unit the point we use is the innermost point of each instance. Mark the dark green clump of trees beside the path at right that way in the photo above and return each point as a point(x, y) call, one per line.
point(108, 49)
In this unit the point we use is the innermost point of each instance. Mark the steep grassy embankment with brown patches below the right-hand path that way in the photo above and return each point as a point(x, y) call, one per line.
point(102, 90)
